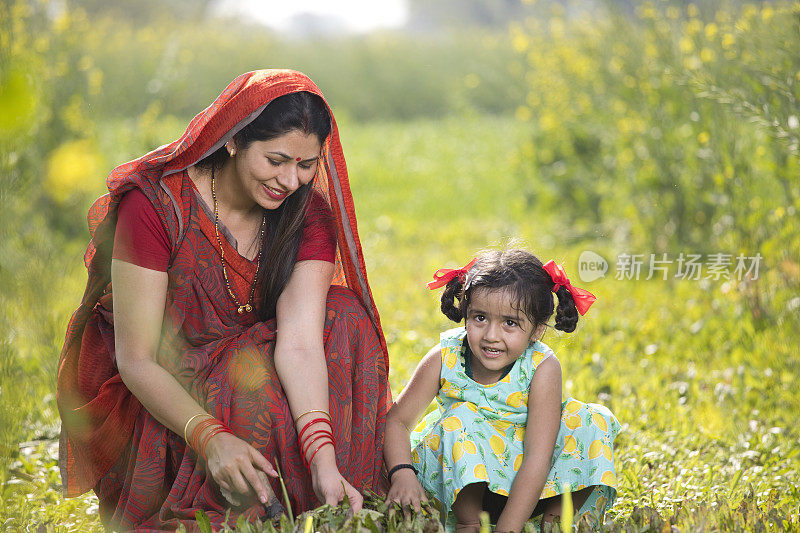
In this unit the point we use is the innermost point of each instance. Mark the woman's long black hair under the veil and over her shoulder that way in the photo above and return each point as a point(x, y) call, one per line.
point(300, 111)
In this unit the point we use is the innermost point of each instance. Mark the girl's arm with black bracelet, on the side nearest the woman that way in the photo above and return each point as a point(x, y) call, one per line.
point(402, 417)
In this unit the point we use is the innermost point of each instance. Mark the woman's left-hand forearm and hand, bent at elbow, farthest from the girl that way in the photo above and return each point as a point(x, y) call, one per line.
point(138, 317)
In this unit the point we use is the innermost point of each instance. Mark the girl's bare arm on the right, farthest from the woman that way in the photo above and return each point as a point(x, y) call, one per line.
point(544, 414)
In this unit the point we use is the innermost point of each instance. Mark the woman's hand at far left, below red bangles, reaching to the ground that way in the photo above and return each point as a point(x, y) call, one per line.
point(233, 464)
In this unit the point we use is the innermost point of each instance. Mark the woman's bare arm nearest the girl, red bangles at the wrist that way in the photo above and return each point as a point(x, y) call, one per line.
point(303, 370)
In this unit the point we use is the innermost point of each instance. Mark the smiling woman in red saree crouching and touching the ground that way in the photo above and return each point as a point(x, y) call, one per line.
point(239, 336)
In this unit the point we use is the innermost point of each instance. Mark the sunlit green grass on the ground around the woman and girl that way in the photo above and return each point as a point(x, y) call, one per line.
point(705, 392)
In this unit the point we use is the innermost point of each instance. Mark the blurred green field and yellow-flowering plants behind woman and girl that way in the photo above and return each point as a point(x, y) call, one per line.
point(617, 126)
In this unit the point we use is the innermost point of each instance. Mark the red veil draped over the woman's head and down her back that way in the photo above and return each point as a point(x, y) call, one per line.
point(88, 394)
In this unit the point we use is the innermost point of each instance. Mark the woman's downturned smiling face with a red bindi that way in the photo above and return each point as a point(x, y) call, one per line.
point(269, 171)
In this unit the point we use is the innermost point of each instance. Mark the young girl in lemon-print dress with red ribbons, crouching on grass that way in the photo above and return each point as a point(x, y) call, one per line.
point(502, 440)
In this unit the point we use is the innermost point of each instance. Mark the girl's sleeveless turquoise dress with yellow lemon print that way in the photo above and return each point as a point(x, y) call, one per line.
point(477, 434)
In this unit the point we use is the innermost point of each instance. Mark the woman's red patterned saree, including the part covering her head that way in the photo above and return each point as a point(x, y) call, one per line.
point(144, 475)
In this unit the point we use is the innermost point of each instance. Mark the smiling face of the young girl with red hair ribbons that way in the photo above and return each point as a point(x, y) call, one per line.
point(497, 332)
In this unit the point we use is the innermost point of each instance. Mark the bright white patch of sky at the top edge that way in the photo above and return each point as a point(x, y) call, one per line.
point(354, 15)
